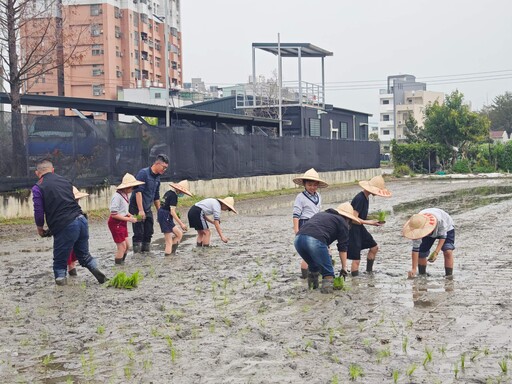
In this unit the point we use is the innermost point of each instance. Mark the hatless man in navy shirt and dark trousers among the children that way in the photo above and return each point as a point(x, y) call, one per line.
point(142, 199)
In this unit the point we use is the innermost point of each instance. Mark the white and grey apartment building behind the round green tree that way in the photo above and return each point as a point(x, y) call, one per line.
point(403, 97)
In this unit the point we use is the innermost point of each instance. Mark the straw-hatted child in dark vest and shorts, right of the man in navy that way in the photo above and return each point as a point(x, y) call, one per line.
point(168, 217)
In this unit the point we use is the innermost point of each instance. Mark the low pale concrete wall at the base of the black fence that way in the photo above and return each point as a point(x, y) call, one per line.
point(17, 205)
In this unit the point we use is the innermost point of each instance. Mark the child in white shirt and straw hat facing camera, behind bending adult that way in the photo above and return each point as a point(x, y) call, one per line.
point(306, 204)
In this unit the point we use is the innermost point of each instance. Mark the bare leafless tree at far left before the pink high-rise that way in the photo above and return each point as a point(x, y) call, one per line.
point(33, 42)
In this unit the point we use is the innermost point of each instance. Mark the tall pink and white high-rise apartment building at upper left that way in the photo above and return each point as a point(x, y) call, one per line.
point(121, 46)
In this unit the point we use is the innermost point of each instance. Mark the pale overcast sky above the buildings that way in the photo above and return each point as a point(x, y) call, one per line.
point(449, 44)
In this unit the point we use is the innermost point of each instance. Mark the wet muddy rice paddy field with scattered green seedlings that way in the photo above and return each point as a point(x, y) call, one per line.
point(239, 312)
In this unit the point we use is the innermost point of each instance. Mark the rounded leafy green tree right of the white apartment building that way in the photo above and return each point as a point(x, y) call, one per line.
point(454, 125)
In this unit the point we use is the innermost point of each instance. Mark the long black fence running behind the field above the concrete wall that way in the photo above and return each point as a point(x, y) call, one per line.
point(93, 152)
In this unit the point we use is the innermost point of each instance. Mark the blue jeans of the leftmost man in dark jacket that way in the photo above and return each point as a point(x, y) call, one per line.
point(75, 236)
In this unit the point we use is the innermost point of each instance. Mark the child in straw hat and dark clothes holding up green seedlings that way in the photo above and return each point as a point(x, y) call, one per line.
point(360, 238)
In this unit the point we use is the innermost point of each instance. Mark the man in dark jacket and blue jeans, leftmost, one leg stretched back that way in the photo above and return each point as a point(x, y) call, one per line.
point(55, 203)
